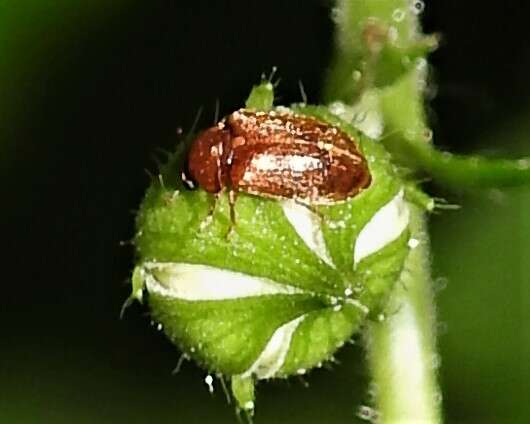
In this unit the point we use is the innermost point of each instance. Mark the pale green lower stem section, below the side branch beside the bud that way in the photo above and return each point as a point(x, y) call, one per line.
point(402, 349)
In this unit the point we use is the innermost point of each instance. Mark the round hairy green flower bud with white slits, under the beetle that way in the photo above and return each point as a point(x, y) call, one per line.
point(279, 290)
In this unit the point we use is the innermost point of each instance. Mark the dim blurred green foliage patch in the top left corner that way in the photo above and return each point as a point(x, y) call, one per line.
point(33, 37)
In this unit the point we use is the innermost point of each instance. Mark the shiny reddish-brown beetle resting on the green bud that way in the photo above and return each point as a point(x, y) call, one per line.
point(278, 155)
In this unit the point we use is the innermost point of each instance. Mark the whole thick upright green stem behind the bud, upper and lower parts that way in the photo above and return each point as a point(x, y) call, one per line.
point(380, 50)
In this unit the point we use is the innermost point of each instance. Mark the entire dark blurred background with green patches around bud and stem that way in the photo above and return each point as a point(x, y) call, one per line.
point(89, 91)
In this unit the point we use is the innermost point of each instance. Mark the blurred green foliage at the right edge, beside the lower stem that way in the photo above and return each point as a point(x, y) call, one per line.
point(485, 308)
